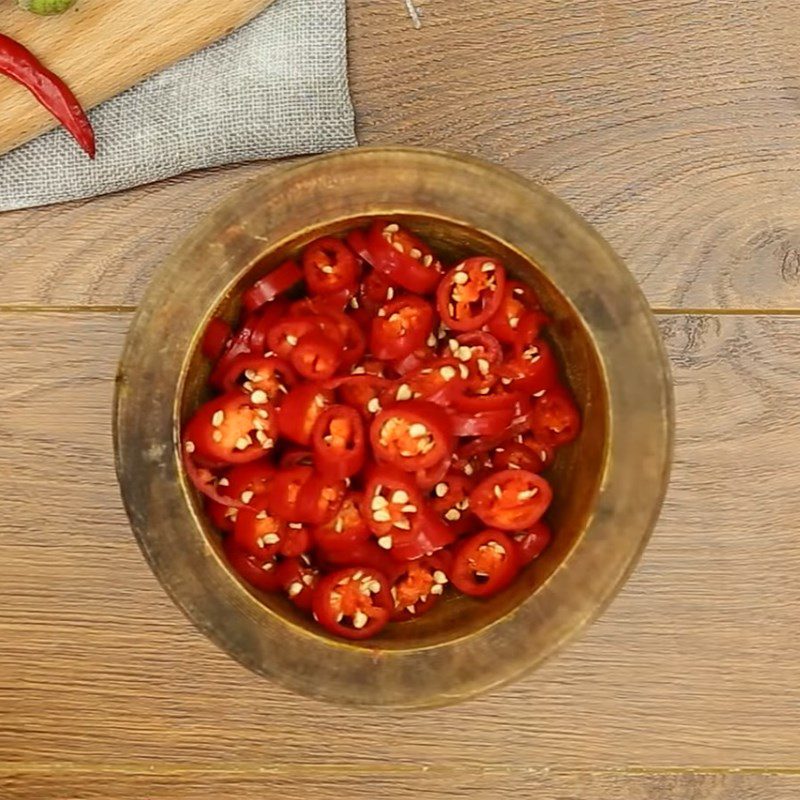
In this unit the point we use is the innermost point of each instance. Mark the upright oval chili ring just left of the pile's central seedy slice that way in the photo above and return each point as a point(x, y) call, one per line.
point(337, 439)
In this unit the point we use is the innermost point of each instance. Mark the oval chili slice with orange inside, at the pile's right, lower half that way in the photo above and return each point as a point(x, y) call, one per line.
point(511, 499)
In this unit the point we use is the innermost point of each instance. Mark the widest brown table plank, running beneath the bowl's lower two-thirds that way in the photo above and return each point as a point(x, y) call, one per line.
point(694, 664)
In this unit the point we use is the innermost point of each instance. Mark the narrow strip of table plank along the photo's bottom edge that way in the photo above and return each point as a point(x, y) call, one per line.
point(195, 783)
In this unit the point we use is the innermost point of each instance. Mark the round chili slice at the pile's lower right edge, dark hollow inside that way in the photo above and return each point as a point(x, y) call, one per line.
point(485, 563)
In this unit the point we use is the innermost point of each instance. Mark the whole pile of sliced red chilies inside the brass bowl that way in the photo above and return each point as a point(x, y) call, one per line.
point(382, 435)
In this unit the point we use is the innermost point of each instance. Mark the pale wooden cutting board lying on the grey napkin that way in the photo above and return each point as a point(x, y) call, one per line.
point(101, 47)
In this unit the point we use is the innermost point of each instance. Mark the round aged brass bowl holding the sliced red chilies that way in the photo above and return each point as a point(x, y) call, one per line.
point(609, 484)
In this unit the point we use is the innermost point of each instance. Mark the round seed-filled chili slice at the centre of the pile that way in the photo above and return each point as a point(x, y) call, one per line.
point(412, 435)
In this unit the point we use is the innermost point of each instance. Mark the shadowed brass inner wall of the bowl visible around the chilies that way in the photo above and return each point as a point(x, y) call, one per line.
point(576, 474)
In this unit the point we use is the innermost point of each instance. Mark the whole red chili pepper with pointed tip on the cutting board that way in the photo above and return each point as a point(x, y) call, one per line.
point(19, 64)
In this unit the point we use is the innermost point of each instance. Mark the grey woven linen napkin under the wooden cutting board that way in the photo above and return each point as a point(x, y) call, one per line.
point(276, 87)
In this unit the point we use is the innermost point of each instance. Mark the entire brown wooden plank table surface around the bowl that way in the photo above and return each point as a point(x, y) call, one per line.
point(673, 127)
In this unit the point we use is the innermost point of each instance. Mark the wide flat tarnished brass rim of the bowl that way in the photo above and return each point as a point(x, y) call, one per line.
point(154, 491)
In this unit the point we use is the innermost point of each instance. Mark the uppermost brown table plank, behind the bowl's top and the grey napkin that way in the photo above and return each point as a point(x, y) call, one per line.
point(671, 127)
